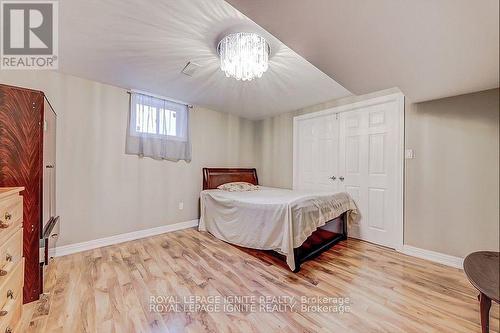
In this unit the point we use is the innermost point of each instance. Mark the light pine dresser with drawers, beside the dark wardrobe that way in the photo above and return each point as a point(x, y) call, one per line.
point(11, 258)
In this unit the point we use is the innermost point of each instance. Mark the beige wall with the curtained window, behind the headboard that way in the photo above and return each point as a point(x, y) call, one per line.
point(103, 192)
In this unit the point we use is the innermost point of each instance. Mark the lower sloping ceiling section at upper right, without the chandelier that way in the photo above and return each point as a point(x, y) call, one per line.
point(428, 48)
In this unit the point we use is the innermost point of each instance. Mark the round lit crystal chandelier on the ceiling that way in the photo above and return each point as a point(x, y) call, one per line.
point(243, 55)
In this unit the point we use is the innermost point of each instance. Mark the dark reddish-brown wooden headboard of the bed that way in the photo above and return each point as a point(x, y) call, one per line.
point(213, 177)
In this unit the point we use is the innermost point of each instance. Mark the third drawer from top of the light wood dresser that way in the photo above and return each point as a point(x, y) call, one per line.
point(11, 297)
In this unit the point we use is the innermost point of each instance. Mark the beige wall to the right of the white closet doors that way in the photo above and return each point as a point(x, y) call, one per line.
point(452, 199)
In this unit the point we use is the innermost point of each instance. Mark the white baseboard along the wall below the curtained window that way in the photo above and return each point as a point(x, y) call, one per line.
point(96, 243)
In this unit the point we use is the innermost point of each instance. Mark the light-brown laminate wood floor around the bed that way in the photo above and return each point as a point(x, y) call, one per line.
point(109, 289)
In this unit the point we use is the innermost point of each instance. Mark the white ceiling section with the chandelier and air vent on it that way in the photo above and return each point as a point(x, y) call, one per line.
point(144, 45)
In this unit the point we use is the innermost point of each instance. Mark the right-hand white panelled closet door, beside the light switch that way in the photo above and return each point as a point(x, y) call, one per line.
point(368, 169)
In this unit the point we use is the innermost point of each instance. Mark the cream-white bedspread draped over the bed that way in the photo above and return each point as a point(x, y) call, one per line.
point(270, 218)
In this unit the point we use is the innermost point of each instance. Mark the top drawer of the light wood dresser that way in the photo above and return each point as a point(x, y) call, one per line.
point(11, 216)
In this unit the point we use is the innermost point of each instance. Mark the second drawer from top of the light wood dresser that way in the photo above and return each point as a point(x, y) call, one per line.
point(10, 254)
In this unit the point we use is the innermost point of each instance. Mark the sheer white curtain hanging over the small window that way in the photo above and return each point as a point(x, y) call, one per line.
point(158, 128)
